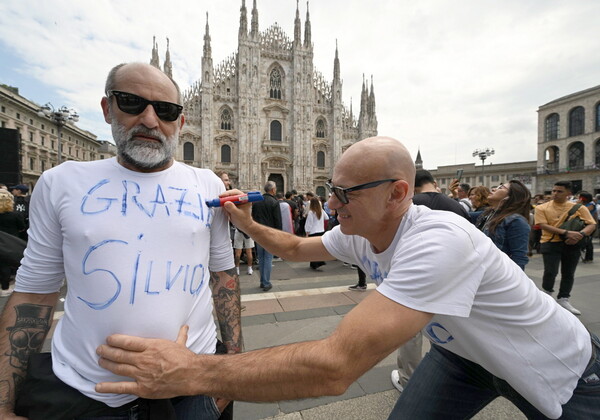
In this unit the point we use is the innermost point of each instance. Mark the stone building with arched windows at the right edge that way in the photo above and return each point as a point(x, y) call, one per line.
point(569, 141)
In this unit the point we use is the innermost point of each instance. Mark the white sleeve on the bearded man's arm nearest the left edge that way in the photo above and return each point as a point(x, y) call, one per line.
point(42, 269)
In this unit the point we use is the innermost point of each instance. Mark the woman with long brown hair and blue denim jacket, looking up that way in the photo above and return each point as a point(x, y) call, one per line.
point(506, 221)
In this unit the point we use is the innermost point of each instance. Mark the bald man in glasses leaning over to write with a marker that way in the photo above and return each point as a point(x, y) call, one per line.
point(492, 331)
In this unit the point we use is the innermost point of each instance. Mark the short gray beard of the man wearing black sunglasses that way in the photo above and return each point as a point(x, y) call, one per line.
point(140, 153)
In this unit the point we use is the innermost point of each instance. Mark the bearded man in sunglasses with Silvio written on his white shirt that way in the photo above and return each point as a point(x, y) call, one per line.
point(139, 247)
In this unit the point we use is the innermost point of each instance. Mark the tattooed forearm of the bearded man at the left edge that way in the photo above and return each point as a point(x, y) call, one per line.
point(25, 322)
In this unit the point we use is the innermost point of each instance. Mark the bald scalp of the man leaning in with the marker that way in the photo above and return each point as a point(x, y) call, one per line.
point(377, 158)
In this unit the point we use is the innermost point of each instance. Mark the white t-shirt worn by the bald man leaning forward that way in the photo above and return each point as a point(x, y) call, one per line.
point(486, 309)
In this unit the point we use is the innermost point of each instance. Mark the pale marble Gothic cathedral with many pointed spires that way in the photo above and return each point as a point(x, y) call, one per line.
point(266, 113)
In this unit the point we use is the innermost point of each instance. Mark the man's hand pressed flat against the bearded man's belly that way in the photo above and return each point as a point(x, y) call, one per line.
point(160, 368)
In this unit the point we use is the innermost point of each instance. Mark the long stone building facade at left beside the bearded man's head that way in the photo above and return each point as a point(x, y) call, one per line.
point(38, 137)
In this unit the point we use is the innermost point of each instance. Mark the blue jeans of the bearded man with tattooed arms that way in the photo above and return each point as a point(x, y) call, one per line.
point(199, 407)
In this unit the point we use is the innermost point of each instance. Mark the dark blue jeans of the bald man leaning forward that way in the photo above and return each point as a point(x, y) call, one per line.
point(447, 386)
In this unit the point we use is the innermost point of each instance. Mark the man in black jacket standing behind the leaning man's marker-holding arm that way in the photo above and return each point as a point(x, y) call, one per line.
point(266, 213)
